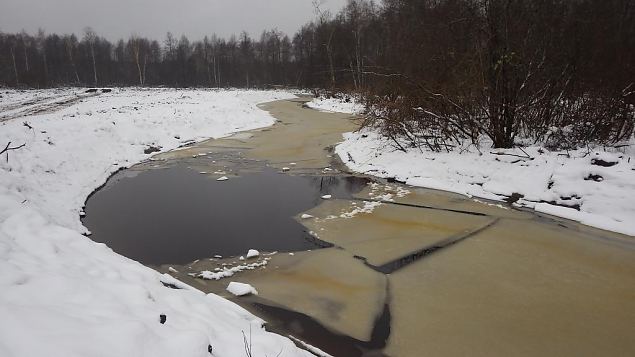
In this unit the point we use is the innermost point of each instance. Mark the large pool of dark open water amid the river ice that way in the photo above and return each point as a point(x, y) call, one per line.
point(176, 215)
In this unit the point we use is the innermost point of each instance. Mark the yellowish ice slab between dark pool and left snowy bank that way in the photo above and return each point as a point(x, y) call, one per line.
point(320, 283)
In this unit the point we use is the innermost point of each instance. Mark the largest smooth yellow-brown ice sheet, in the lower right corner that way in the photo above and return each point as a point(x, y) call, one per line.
point(518, 288)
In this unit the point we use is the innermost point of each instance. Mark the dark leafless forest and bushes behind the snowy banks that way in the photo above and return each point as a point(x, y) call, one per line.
point(432, 73)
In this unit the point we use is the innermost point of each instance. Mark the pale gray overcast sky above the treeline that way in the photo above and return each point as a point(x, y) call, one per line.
point(114, 19)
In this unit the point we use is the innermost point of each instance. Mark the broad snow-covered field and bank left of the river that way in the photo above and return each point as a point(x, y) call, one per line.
point(63, 294)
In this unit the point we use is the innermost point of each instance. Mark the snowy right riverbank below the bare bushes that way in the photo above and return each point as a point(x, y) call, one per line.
point(593, 186)
